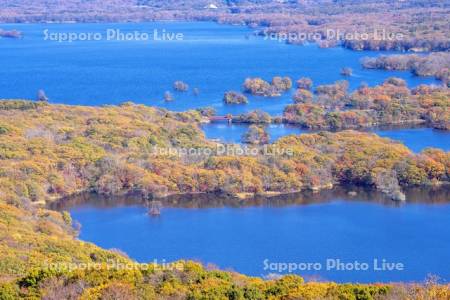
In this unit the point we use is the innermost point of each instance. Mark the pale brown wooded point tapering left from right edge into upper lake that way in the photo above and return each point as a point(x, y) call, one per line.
point(434, 64)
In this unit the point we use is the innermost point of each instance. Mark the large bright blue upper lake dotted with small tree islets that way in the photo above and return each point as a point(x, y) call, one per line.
point(214, 58)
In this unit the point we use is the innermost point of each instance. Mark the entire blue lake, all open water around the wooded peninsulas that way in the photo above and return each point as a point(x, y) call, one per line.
point(249, 235)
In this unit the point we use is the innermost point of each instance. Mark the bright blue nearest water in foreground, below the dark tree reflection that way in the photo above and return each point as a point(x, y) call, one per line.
point(415, 235)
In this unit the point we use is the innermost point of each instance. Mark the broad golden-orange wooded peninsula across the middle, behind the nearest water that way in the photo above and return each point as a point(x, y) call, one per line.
point(50, 151)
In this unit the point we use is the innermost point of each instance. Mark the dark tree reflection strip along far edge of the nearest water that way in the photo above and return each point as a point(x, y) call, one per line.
point(428, 195)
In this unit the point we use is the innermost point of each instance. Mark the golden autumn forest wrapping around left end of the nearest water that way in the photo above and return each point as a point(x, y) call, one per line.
point(51, 151)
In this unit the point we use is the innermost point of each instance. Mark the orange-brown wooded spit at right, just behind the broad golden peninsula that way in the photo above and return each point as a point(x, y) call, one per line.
point(392, 103)
